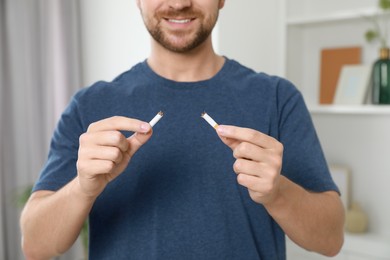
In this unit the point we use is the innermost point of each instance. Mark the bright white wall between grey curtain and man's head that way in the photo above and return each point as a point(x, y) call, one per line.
point(113, 38)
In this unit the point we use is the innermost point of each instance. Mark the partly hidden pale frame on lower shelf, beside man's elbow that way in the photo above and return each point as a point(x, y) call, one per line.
point(341, 176)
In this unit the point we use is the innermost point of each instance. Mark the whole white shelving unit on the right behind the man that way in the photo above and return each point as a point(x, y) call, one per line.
point(355, 136)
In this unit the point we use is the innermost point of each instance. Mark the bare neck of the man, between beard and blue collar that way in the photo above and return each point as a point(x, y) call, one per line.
point(200, 64)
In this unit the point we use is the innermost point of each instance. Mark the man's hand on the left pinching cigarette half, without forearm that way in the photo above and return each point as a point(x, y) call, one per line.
point(105, 152)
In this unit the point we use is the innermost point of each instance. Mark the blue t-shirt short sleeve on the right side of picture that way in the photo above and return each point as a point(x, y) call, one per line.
point(303, 160)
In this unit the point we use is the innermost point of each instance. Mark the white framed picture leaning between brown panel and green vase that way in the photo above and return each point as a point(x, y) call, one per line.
point(353, 84)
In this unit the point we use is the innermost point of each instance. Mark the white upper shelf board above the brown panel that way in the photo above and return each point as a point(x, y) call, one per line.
point(333, 17)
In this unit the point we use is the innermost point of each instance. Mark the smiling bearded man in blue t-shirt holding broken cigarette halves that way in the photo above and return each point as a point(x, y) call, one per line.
point(184, 190)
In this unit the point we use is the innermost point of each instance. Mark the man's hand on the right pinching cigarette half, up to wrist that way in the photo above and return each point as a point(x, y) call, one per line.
point(258, 161)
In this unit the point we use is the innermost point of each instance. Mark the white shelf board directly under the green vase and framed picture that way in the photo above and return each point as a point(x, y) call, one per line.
point(351, 110)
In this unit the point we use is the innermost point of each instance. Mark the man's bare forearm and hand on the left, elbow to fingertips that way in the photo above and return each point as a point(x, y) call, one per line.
point(51, 221)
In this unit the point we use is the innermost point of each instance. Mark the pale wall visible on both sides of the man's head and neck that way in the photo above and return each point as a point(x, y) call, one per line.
point(114, 37)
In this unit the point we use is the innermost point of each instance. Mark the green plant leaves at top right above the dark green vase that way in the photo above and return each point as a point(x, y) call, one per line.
point(379, 32)
